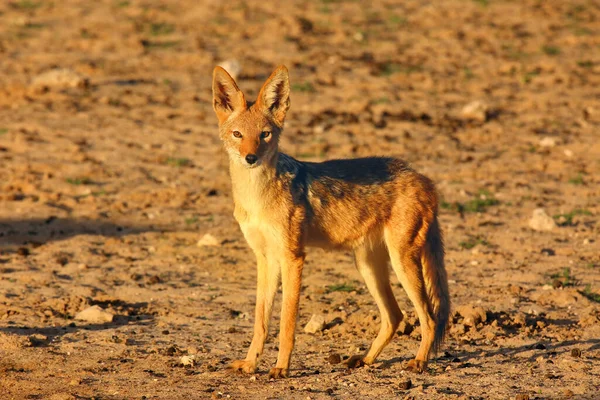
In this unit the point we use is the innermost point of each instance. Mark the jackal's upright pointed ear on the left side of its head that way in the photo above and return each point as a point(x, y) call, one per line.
point(227, 97)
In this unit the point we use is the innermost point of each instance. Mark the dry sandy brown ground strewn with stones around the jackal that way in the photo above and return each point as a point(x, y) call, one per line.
point(111, 172)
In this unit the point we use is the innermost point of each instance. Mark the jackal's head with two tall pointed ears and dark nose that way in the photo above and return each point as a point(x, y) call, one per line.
point(250, 132)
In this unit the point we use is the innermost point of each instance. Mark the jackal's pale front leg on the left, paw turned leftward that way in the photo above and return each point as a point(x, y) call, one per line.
point(267, 283)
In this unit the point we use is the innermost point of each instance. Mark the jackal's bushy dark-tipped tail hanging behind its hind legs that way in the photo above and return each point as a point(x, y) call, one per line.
point(436, 281)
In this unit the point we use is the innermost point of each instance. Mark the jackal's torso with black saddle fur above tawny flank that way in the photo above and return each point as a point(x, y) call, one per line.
point(348, 200)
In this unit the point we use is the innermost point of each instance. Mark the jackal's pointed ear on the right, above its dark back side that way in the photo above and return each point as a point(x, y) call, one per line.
point(275, 94)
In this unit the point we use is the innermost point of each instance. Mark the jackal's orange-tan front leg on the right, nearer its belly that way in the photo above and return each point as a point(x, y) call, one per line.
point(291, 278)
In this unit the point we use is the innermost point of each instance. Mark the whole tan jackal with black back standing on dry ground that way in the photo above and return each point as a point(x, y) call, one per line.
point(378, 207)
